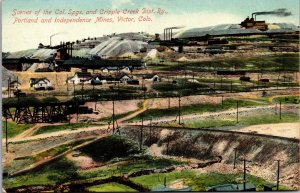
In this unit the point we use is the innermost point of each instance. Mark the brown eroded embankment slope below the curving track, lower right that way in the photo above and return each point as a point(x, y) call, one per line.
point(209, 144)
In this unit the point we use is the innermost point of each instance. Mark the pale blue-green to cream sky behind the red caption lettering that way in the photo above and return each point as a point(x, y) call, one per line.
point(188, 13)
